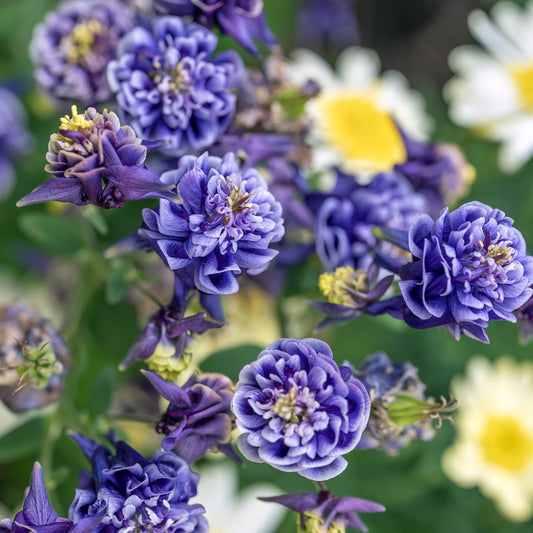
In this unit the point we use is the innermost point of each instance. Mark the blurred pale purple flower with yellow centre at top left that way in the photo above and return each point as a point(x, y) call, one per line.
point(72, 47)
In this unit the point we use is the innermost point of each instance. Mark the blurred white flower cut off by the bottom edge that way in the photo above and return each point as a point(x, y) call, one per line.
point(230, 511)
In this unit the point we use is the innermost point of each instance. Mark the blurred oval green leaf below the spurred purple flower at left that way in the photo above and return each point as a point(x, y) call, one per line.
point(55, 235)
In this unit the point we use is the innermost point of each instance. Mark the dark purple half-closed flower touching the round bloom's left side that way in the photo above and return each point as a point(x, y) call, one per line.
point(198, 417)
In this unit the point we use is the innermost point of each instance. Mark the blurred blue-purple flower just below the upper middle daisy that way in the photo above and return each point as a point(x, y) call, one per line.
point(346, 217)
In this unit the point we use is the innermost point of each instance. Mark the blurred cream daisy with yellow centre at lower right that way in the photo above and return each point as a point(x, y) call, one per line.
point(494, 444)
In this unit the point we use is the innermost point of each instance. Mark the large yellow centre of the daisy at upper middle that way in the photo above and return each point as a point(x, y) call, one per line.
point(364, 134)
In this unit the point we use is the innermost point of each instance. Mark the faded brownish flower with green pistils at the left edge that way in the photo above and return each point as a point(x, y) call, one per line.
point(33, 358)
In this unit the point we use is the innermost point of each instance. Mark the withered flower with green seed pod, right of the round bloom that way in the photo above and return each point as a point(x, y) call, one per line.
point(400, 411)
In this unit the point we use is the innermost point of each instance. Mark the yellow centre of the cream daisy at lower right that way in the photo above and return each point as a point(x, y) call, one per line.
point(505, 443)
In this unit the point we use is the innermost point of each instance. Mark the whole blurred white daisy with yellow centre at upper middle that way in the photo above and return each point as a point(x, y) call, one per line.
point(355, 112)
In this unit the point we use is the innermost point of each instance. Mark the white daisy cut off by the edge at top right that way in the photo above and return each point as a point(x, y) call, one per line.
point(493, 90)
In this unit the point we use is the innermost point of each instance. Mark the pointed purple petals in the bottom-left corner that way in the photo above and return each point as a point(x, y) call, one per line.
point(38, 515)
